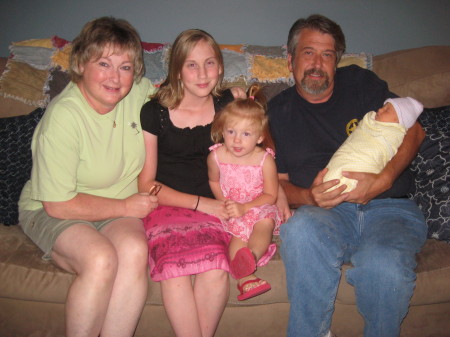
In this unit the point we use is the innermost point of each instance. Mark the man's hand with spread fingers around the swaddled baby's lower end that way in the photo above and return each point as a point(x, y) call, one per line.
point(326, 199)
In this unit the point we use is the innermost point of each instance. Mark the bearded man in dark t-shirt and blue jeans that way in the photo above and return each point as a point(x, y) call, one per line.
point(375, 227)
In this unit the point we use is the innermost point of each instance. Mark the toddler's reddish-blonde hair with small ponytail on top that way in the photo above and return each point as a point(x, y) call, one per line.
point(252, 108)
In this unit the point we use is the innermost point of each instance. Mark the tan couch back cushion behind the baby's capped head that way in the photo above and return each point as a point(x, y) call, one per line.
point(422, 73)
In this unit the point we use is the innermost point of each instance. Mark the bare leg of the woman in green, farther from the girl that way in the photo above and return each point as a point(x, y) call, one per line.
point(82, 250)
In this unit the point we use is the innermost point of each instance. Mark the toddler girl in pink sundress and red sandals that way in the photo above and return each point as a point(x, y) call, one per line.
point(243, 174)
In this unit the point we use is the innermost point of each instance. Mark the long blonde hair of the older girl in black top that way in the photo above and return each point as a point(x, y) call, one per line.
point(171, 91)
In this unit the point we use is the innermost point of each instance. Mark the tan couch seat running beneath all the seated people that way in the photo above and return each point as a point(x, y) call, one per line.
point(26, 276)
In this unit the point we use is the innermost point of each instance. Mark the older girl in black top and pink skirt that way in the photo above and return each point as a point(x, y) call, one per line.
point(182, 240)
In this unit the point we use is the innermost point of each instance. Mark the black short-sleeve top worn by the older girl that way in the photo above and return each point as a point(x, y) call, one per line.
point(182, 153)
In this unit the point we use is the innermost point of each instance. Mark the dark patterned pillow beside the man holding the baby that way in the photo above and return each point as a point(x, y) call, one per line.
point(432, 172)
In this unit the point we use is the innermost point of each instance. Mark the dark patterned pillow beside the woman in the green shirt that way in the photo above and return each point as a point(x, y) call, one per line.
point(15, 161)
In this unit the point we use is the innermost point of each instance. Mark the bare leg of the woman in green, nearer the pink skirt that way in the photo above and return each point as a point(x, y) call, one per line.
point(131, 284)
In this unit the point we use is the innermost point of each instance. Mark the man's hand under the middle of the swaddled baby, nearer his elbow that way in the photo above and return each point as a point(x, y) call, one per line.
point(369, 186)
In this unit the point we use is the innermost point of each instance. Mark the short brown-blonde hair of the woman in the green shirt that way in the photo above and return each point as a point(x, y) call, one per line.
point(102, 33)
